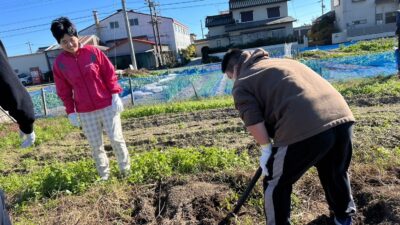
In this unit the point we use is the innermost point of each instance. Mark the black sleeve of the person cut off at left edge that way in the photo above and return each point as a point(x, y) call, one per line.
point(14, 97)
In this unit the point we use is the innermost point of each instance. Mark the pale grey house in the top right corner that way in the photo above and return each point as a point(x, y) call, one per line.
point(364, 19)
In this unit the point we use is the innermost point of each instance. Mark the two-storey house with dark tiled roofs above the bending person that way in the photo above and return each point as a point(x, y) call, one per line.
point(248, 21)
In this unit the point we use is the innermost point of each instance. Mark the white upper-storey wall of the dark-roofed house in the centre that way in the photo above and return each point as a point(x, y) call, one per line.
point(260, 12)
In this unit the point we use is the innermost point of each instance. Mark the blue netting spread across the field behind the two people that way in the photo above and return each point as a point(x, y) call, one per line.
point(207, 81)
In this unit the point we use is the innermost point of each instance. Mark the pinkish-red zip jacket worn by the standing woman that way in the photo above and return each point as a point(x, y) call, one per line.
point(85, 81)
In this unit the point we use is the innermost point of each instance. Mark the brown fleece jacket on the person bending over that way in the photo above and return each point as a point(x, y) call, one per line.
point(293, 101)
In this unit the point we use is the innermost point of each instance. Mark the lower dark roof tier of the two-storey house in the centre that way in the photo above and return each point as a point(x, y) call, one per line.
point(261, 23)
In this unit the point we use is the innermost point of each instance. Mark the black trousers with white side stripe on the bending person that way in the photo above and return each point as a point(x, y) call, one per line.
point(330, 152)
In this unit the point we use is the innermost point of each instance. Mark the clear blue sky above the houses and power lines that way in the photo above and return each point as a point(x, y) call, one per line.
point(28, 21)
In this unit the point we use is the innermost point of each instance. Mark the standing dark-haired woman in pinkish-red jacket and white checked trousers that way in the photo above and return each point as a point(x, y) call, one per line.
point(86, 83)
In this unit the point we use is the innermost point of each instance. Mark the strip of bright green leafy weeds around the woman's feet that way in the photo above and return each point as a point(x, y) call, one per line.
point(76, 177)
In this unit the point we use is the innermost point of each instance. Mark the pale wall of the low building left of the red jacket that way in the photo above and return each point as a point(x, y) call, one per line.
point(23, 63)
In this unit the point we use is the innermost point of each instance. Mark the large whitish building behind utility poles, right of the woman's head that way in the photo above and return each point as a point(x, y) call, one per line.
point(112, 29)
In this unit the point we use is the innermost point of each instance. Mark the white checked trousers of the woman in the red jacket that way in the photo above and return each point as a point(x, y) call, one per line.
point(93, 124)
